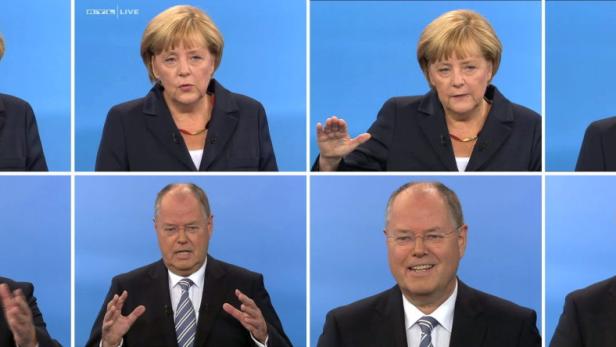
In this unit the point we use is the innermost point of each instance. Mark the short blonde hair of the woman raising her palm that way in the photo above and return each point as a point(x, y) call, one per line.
point(456, 32)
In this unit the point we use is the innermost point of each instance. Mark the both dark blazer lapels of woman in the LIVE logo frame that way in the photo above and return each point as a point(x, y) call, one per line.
point(222, 125)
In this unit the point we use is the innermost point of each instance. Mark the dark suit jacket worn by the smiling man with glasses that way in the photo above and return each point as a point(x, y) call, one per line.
point(480, 320)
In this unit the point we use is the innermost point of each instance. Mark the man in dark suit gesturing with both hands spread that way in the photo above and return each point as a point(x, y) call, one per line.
point(188, 298)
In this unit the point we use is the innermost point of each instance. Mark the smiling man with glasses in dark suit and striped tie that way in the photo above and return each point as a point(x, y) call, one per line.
point(429, 306)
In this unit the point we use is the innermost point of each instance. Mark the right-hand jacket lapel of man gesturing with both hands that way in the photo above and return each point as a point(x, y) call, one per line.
point(211, 301)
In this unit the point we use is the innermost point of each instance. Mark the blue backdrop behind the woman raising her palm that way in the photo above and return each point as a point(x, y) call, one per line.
point(364, 52)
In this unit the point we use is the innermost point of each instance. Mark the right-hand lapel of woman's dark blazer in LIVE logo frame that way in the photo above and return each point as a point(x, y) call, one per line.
point(222, 126)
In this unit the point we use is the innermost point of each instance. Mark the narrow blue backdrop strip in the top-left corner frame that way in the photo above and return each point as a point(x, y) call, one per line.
point(36, 68)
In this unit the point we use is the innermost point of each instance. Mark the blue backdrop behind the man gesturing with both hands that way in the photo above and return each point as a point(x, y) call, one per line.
point(259, 224)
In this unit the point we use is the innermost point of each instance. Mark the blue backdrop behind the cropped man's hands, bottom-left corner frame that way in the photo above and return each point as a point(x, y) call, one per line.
point(35, 237)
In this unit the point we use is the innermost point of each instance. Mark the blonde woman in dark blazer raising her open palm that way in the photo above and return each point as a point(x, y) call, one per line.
point(463, 124)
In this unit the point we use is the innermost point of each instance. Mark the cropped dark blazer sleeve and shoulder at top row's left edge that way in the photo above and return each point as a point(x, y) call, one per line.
point(20, 144)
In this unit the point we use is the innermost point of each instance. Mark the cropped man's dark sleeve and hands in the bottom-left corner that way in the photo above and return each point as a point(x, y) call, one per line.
point(21, 323)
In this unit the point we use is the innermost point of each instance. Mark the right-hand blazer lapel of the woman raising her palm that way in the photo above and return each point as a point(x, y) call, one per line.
point(495, 131)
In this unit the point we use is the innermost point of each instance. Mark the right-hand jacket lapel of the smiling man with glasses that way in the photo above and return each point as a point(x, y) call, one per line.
point(469, 327)
